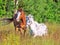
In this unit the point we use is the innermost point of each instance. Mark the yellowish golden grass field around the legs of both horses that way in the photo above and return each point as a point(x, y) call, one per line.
point(8, 36)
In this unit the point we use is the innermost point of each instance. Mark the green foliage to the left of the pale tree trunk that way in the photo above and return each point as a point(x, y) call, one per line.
point(6, 8)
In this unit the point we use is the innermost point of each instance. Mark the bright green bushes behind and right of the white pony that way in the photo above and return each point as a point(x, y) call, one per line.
point(43, 10)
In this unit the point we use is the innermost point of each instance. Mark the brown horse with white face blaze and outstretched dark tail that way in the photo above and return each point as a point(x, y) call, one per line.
point(19, 20)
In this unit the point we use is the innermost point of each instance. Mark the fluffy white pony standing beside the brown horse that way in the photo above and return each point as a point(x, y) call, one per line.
point(37, 29)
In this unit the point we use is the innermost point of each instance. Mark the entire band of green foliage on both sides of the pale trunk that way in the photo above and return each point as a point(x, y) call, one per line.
point(42, 10)
